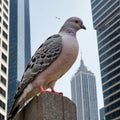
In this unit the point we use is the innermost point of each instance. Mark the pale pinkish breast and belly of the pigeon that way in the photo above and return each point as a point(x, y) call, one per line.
point(61, 65)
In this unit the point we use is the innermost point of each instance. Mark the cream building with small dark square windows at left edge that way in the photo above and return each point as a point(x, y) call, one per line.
point(4, 56)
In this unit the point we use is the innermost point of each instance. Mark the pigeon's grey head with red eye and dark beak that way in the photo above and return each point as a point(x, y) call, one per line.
point(73, 24)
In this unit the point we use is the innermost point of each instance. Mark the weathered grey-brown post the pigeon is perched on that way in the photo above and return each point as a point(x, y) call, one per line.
point(48, 106)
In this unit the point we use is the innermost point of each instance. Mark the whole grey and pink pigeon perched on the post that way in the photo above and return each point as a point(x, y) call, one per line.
point(49, 63)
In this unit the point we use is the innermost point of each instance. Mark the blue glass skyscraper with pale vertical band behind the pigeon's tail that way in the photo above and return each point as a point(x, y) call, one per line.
point(19, 51)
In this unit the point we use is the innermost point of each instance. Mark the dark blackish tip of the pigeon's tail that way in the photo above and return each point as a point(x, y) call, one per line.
point(13, 111)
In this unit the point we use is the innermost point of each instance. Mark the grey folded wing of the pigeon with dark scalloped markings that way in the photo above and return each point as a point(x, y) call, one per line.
point(43, 57)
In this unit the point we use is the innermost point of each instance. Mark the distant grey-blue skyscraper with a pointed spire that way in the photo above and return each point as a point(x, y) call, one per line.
point(83, 87)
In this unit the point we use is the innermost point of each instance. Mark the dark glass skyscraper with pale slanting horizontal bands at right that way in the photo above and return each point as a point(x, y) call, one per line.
point(106, 21)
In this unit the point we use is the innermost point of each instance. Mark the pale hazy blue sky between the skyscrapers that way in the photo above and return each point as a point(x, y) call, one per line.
point(44, 23)
